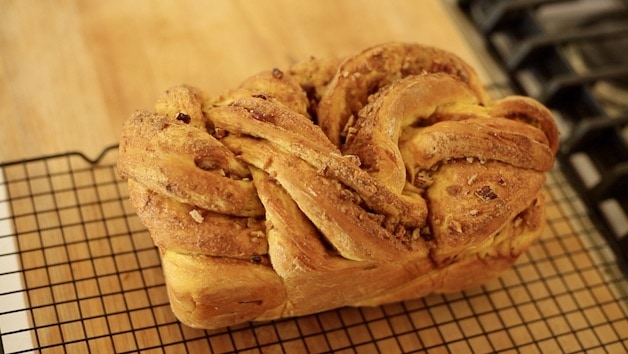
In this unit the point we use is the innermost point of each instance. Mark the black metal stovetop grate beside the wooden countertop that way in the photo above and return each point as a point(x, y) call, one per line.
point(550, 50)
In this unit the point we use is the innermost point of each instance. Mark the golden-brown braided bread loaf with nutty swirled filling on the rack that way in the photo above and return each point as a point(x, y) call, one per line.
point(387, 176)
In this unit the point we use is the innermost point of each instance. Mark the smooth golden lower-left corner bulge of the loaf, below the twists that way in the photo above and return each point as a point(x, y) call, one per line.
point(211, 292)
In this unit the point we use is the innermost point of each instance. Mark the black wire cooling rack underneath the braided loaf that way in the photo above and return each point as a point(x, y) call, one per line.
point(80, 273)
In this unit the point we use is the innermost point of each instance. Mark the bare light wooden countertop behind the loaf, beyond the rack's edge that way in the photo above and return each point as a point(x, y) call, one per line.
point(72, 71)
